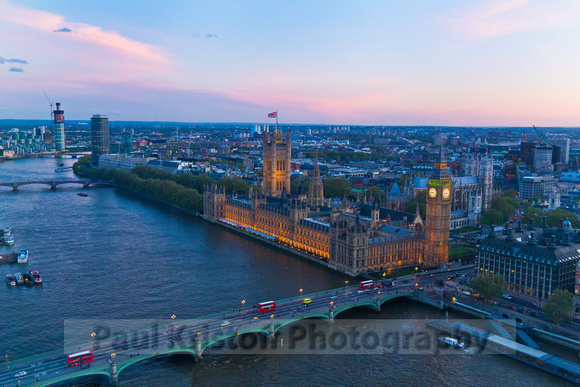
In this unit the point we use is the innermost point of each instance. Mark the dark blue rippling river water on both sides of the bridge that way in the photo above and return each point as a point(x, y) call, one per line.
point(112, 256)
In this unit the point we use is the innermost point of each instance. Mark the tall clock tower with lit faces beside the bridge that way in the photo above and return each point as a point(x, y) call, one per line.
point(438, 215)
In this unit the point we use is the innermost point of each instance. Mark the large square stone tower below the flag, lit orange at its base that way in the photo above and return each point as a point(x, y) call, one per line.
point(277, 154)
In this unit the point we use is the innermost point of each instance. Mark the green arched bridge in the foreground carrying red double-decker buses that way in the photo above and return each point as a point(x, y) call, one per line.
point(112, 355)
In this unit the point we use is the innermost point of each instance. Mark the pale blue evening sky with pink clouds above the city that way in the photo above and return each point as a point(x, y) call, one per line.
point(384, 62)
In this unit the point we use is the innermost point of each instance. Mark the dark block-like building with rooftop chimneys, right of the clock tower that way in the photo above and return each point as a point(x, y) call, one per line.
point(533, 261)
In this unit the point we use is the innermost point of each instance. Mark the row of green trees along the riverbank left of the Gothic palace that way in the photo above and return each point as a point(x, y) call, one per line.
point(180, 190)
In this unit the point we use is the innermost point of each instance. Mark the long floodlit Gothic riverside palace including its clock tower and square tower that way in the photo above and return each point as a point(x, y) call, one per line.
point(355, 237)
